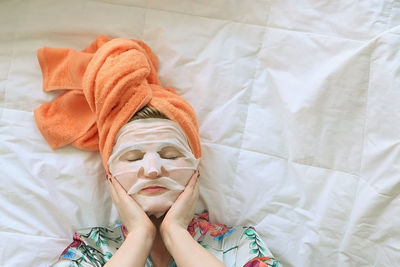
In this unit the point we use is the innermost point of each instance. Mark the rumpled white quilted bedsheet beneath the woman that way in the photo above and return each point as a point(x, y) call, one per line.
point(299, 111)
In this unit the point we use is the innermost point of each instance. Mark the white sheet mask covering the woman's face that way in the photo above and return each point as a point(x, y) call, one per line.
point(152, 152)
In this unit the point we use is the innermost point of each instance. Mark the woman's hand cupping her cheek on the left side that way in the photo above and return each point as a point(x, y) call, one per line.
point(131, 214)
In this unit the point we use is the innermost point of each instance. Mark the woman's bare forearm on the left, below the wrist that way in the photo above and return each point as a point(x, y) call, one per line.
point(133, 252)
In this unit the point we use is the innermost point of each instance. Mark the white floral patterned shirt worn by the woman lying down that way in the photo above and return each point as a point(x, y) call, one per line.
point(234, 246)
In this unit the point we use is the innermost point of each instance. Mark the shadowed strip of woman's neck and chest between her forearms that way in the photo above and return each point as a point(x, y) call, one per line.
point(159, 254)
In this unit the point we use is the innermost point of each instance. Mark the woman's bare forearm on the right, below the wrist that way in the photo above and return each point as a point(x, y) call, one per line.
point(186, 251)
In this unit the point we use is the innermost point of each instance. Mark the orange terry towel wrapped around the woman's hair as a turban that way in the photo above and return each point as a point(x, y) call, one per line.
point(105, 84)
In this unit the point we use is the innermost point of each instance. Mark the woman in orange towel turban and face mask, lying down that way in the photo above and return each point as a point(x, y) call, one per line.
point(151, 160)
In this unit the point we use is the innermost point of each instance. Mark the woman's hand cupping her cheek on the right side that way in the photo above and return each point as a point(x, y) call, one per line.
point(181, 212)
